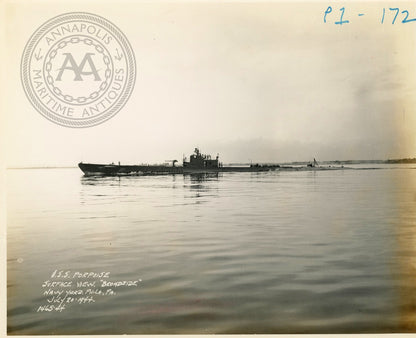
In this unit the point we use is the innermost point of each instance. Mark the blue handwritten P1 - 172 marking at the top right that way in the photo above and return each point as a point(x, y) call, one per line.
point(392, 15)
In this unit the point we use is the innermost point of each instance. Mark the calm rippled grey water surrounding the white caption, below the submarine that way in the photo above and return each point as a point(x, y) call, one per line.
point(290, 252)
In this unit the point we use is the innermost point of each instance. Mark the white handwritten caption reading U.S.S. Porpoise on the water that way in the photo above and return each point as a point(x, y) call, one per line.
point(66, 287)
